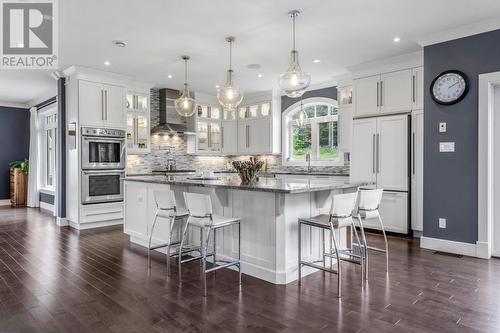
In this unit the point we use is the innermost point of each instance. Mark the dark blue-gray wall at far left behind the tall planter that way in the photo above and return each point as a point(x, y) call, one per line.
point(14, 142)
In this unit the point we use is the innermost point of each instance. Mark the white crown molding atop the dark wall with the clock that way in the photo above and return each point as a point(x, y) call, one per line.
point(460, 32)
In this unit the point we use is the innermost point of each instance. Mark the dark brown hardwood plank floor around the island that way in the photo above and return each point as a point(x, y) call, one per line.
point(59, 280)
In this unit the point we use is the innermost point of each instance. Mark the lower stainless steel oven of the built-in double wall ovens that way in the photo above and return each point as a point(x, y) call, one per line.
point(100, 186)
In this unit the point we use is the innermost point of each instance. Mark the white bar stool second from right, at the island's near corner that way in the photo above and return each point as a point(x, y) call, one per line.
point(340, 217)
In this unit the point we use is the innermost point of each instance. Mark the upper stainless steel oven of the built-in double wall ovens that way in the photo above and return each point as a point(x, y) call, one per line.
point(103, 148)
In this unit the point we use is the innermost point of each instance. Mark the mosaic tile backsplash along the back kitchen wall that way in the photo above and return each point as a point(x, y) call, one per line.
point(164, 148)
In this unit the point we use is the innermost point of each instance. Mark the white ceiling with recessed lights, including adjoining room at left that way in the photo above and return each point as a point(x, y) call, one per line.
point(340, 33)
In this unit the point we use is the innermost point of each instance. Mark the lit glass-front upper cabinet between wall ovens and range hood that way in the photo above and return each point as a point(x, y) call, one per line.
point(138, 124)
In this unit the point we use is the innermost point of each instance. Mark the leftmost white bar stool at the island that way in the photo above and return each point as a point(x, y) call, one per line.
point(166, 208)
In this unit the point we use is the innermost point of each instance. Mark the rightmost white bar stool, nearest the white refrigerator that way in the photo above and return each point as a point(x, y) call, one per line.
point(368, 208)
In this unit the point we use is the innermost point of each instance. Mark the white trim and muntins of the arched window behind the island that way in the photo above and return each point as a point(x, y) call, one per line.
point(287, 137)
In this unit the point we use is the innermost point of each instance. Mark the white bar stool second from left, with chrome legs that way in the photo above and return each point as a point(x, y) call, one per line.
point(201, 216)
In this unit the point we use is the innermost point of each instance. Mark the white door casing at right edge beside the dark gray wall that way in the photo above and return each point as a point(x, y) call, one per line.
point(485, 162)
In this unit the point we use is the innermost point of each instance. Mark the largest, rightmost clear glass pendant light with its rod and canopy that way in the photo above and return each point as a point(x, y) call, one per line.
point(294, 81)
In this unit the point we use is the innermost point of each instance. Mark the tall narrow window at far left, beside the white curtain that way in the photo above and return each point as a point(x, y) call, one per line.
point(48, 140)
